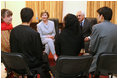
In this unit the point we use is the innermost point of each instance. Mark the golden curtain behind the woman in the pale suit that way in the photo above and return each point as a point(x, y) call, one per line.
point(54, 8)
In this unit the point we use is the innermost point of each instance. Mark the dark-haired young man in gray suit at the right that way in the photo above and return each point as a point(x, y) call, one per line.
point(103, 37)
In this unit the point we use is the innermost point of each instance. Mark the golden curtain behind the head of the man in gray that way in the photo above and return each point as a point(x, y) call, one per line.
point(92, 7)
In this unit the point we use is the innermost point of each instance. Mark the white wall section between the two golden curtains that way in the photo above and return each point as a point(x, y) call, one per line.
point(74, 6)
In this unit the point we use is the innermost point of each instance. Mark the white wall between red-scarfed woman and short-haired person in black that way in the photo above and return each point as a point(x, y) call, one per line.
point(15, 7)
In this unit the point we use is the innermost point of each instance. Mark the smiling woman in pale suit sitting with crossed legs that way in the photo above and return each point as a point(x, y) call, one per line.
point(47, 32)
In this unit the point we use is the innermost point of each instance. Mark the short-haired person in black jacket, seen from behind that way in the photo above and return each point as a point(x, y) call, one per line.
point(25, 40)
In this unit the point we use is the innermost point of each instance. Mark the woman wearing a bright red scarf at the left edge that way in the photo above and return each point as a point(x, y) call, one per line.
point(6, 26)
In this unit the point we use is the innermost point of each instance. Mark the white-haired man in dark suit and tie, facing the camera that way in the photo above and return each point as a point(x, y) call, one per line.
point(86, 27)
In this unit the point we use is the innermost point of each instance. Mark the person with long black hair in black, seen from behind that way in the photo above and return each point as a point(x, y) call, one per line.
point(69, 42)
